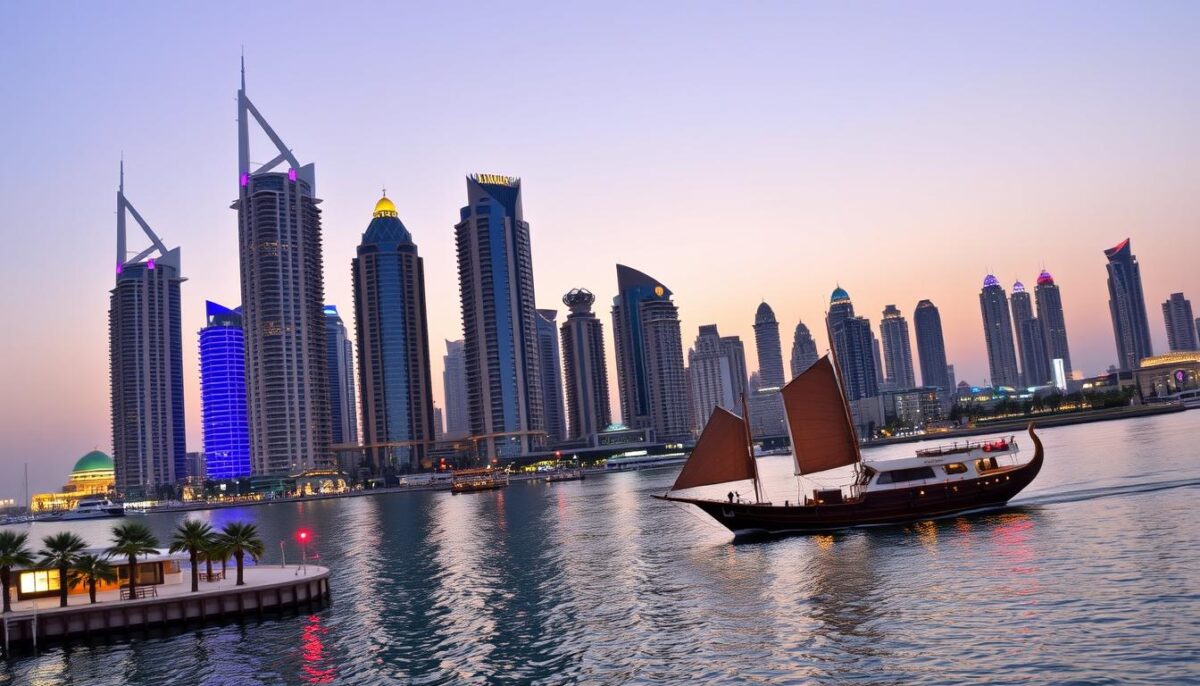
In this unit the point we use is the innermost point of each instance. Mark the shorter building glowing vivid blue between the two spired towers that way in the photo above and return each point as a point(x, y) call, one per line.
point(224, 394)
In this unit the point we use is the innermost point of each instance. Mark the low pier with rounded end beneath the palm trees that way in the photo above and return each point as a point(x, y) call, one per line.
point(267, 589)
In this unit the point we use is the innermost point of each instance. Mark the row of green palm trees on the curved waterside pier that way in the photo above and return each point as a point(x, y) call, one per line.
point(65, 552)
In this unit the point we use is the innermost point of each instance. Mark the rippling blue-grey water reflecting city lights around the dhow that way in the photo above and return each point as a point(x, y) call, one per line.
point(1093, 576)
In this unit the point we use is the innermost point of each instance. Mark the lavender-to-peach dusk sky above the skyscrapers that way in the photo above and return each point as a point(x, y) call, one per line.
point(735, 152)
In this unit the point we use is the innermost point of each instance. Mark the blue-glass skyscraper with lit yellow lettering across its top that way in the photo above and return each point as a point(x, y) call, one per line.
point(500, 321)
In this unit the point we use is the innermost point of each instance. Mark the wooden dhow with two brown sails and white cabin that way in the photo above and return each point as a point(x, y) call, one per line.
point(938, 483)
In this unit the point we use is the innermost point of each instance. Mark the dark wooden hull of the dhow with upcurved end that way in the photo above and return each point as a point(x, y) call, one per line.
point(895, 507)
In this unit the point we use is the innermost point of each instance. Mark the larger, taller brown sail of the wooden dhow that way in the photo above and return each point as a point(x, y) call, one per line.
point(819, 420)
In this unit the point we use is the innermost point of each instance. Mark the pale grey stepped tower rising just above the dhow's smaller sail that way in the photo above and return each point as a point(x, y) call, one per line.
point(716, 375)
